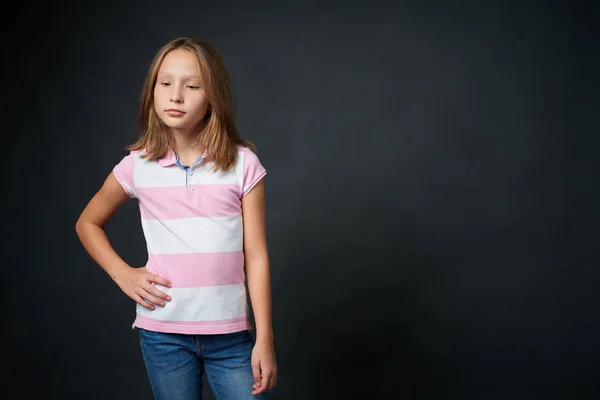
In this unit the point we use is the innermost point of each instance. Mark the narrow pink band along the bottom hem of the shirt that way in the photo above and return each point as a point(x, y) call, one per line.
point(193, 327)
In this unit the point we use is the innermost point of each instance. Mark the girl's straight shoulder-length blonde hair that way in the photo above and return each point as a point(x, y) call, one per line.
point(220, 136)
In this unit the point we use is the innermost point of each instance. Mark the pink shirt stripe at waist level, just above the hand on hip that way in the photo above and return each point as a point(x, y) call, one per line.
point(200, 269)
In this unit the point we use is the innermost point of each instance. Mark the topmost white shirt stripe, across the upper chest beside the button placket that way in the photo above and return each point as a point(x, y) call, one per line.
point(152, 174)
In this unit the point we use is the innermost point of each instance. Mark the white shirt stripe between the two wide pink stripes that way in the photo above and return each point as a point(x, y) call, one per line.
point(193, 235)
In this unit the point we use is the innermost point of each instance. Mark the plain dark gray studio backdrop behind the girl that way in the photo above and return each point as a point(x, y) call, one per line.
point(431, 196)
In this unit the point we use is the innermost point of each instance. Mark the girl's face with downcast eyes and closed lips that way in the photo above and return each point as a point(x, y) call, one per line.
point(179, 99)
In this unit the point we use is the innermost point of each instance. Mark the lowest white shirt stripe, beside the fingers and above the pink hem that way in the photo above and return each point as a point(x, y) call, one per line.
point(208, 303)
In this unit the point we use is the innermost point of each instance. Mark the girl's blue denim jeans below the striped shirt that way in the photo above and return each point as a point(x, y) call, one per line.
point(176, 362)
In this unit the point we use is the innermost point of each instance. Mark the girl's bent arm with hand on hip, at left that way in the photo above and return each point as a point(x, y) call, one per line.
point(134, 282)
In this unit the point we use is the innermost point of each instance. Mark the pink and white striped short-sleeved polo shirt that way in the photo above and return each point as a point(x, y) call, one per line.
point(192, 223)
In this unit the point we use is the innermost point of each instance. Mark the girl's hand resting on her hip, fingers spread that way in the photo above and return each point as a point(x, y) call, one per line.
point(137, 284)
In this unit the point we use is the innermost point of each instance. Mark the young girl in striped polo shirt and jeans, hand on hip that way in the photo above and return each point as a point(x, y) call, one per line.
point(201, 197)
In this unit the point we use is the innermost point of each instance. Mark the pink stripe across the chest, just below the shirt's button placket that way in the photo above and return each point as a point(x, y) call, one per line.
point(179, 202)
